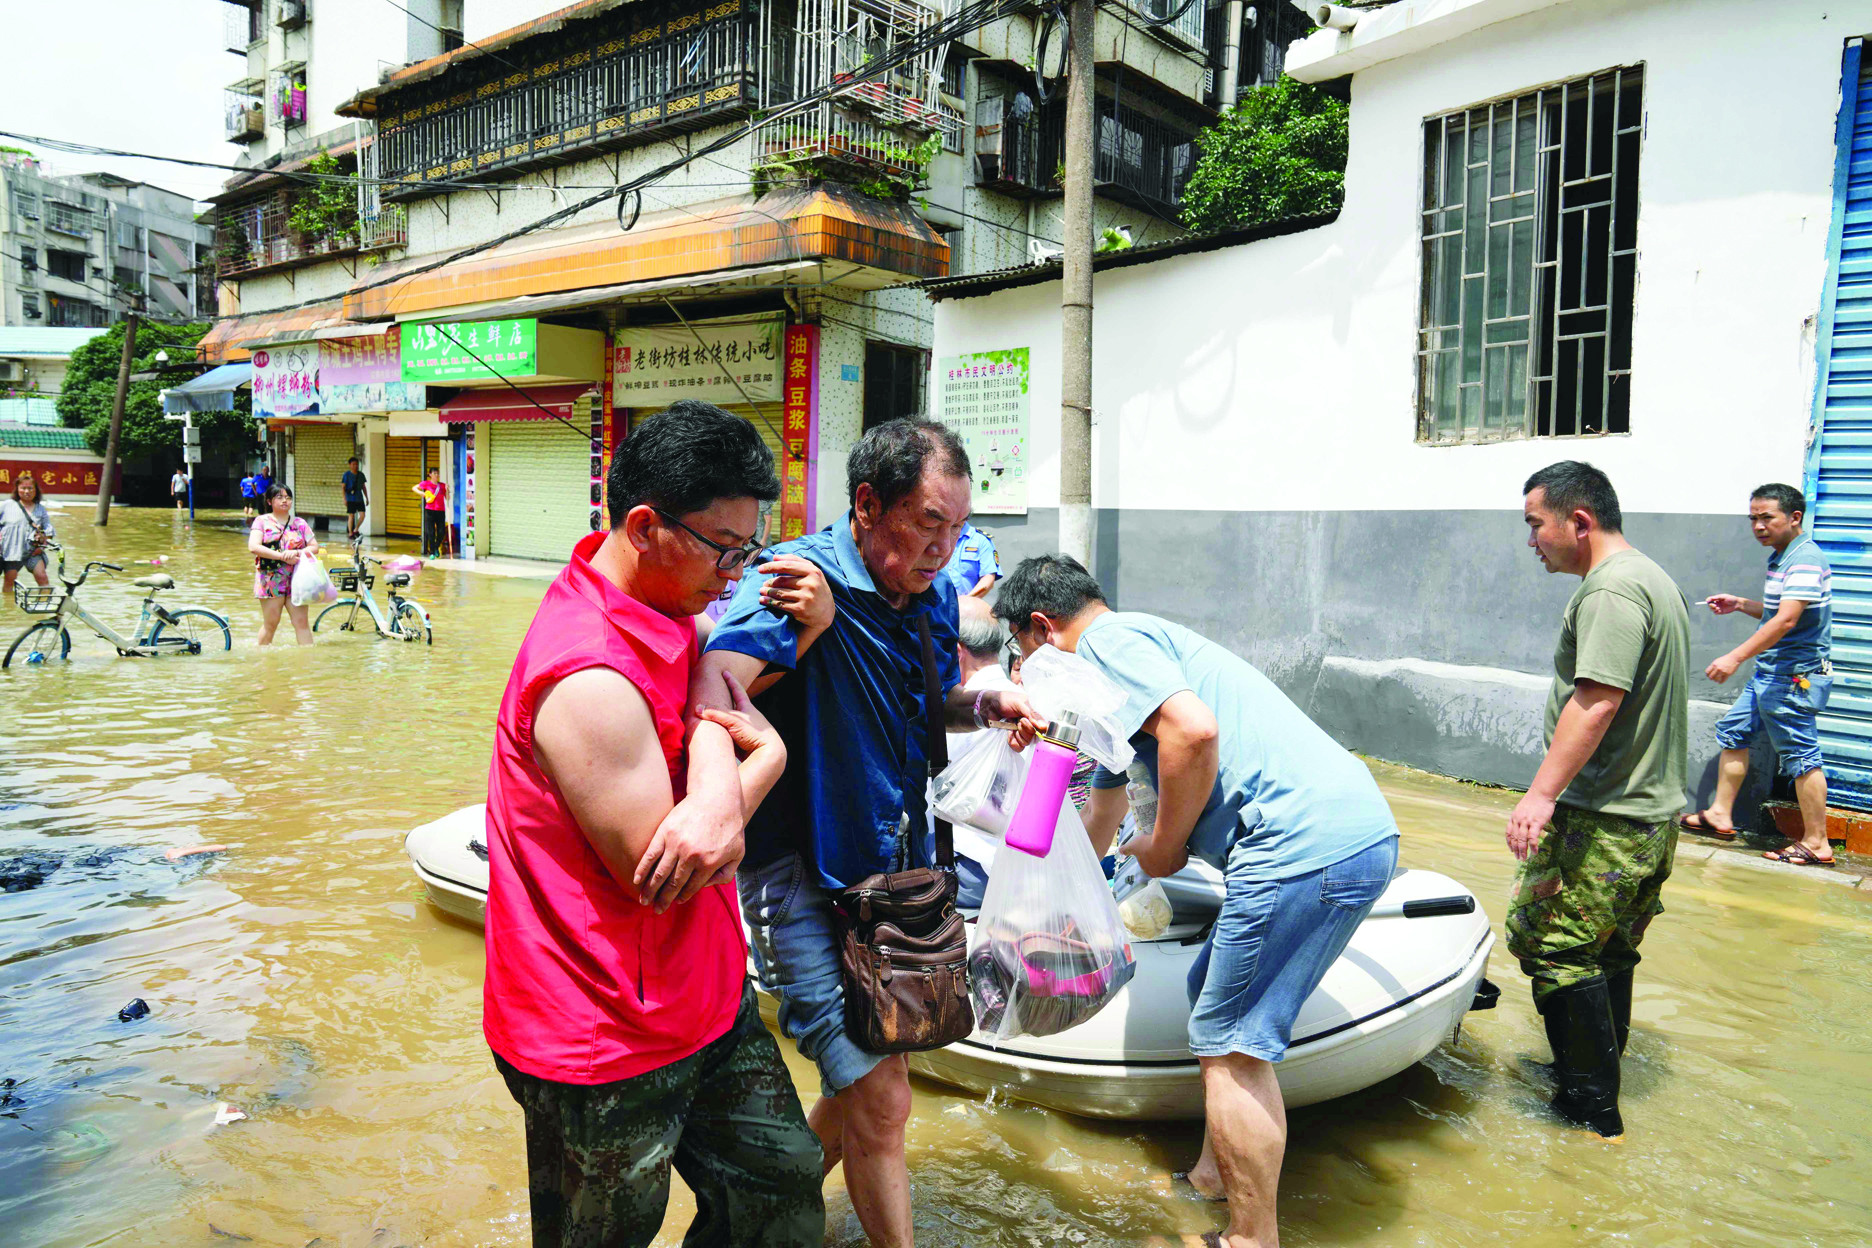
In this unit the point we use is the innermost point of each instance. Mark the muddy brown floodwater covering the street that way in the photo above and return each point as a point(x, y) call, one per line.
point(304, 980)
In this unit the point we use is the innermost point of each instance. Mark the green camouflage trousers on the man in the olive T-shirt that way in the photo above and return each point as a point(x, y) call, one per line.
point(1587, 895)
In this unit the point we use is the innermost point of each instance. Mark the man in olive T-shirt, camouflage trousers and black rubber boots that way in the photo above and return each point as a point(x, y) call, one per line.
point(1596, 834)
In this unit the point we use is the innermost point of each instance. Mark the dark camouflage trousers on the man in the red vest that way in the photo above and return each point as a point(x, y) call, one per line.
point(727, 1120)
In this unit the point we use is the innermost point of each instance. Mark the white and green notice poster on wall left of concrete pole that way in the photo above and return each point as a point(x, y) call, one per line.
point(984, 398)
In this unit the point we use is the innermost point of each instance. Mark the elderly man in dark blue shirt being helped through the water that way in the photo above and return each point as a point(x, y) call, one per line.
point(851, 706)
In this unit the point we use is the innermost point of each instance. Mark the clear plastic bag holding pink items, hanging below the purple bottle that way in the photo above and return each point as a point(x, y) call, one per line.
point(1053, 950)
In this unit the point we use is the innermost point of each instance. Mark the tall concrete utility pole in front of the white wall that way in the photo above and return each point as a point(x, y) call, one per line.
point(1075, 293)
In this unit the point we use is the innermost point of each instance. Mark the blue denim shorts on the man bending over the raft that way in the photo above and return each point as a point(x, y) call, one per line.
point(1272, 946)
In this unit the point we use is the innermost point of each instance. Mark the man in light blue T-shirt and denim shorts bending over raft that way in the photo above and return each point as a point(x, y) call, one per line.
point(1248, 783)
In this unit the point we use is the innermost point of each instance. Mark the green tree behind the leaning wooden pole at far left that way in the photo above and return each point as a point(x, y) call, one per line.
point(91, 386)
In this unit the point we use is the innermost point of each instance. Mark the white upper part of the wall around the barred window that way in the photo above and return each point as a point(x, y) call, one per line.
point(1281, 375)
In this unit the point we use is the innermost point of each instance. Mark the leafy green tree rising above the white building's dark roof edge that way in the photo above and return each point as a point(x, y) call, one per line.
point(1281, 152)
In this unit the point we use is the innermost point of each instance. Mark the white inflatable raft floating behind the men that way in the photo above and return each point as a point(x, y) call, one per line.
point(1407, 981)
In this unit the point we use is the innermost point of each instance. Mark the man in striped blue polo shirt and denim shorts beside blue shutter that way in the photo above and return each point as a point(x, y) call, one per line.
point(1792, 678)
